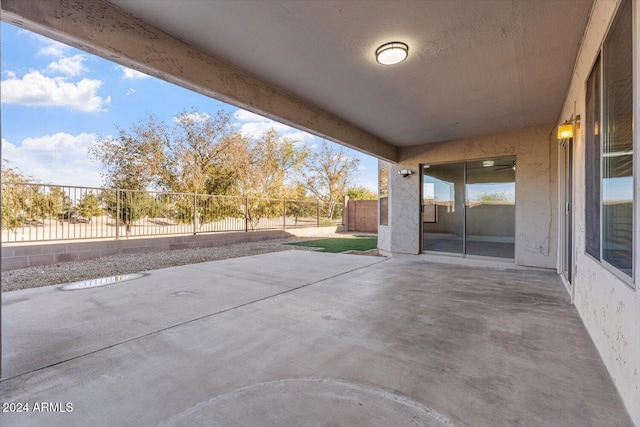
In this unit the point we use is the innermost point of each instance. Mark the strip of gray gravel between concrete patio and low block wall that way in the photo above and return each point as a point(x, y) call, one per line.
point(33, 277)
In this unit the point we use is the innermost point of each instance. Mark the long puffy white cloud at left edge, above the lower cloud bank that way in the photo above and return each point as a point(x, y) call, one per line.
point(36, 90)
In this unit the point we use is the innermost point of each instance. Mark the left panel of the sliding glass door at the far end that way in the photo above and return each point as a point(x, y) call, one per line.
point(443, 208)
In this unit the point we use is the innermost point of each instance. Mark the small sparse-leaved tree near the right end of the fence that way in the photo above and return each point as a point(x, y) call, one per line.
point(327, 173)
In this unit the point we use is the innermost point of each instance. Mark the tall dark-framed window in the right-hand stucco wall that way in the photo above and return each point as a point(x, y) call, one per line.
point(609, 148)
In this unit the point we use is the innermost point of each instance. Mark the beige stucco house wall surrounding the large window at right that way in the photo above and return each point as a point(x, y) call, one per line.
point(610, 309)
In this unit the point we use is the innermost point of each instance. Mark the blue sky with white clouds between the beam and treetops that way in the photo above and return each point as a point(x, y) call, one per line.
point(57, 101)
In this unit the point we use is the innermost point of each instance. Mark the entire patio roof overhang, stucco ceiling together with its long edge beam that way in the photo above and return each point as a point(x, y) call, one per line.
point(474, 68)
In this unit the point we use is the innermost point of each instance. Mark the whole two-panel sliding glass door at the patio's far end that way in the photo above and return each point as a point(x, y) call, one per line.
point(469, 208)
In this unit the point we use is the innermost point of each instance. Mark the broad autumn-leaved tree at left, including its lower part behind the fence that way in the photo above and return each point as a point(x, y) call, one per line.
point(189, 156)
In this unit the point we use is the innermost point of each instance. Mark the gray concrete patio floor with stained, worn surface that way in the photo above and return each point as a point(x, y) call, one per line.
point(302, 338)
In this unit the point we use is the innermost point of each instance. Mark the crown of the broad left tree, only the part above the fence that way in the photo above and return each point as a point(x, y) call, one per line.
point(188, 156)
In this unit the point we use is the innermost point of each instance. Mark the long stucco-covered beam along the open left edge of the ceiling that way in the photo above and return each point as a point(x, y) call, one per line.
point(102, 29)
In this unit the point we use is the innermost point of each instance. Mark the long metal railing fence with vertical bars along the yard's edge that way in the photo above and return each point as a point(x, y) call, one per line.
point(41, 212)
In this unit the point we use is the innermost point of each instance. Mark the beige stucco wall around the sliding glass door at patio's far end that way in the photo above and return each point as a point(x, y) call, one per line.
point(535, 150)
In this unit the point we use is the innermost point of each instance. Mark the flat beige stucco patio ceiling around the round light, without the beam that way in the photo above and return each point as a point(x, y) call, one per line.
point(475, 67)
